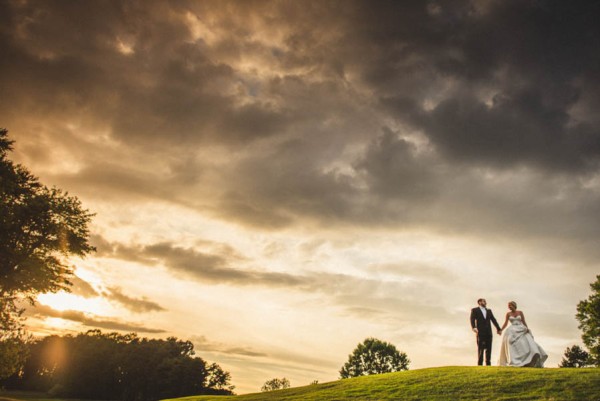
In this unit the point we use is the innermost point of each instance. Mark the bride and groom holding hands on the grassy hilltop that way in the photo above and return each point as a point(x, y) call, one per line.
point(518, 347)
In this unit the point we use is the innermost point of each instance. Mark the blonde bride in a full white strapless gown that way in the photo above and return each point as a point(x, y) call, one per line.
point(518, 347)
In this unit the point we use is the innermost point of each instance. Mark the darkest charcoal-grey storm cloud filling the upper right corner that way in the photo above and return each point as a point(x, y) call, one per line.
point(509, 78)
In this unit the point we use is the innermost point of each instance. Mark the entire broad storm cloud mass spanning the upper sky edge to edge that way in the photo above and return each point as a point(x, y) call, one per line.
point(271, 114)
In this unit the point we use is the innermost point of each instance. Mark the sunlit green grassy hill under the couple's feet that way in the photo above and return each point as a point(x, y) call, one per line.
point(447, 383)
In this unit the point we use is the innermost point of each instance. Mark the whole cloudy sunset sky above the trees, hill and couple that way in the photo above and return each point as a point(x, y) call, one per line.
point(277, 181)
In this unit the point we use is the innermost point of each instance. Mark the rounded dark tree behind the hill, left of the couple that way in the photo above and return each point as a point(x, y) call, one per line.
point(372, 357)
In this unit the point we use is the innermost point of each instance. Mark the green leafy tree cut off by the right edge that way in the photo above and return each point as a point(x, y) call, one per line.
point(588, 315)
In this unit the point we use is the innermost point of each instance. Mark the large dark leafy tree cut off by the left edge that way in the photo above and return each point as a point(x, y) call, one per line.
point(40, 228)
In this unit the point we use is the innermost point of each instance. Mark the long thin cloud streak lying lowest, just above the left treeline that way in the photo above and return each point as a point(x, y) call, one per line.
point(43, 311)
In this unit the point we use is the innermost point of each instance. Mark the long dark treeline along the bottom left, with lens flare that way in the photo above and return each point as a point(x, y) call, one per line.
point(94, 365)
